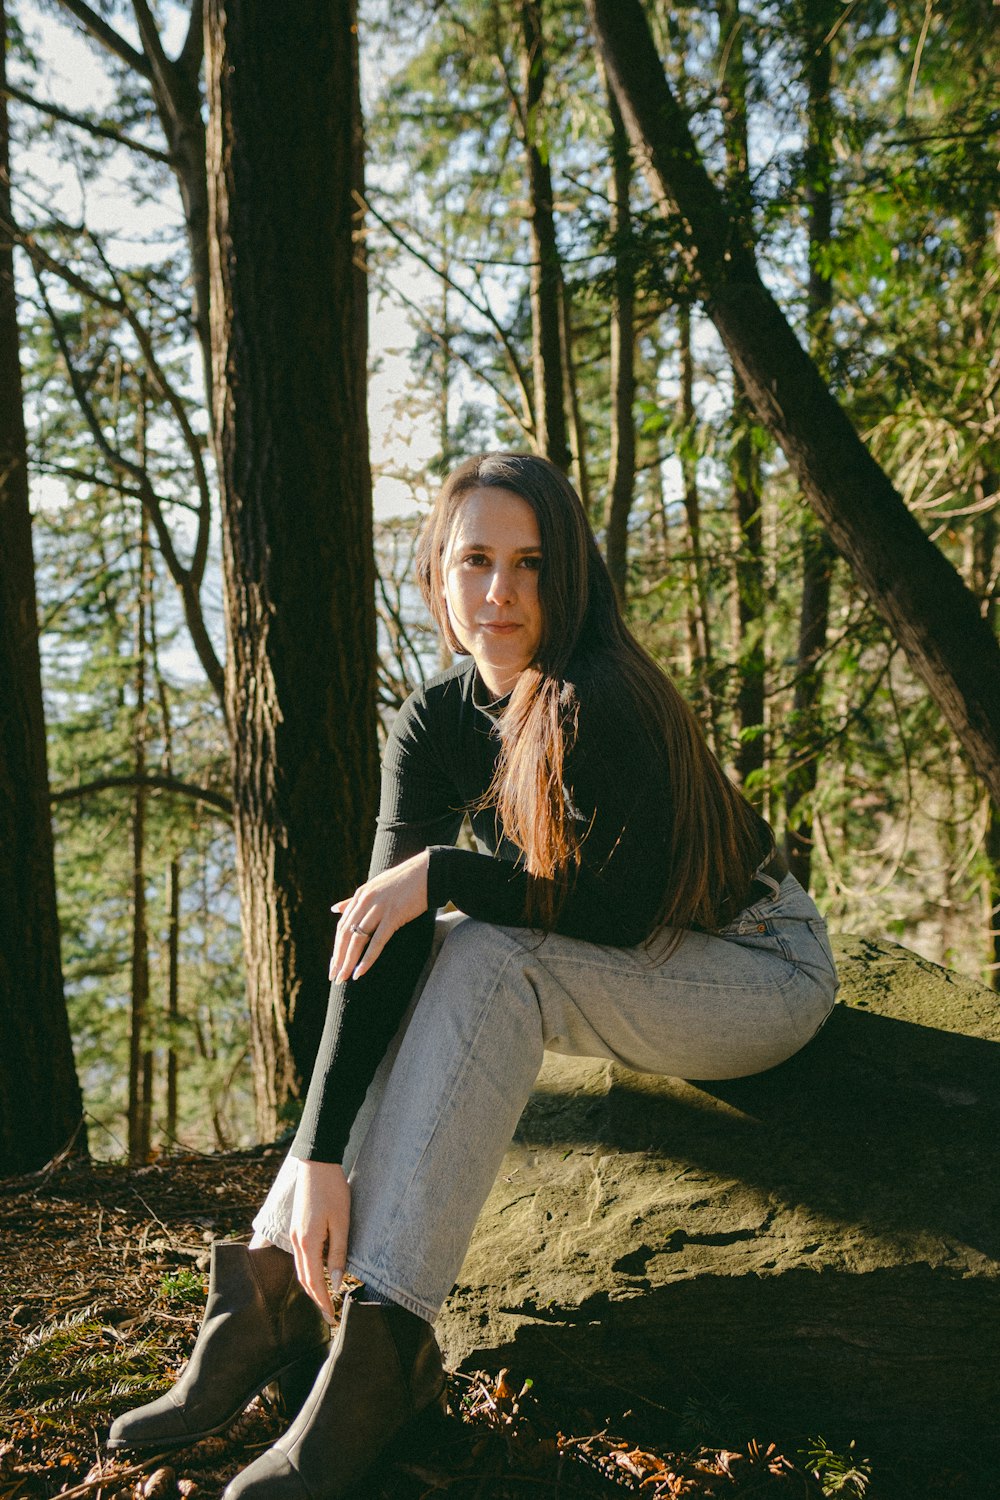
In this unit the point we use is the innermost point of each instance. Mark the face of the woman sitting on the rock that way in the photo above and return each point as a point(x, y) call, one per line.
point(491, 584)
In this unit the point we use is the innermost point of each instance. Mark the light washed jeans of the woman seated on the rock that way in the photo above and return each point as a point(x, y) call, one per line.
point(445, 1105)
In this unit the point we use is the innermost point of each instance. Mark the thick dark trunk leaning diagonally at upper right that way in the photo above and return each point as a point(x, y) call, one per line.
point(917, 590)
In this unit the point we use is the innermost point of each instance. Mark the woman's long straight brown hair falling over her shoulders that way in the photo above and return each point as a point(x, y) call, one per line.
point(717, 838)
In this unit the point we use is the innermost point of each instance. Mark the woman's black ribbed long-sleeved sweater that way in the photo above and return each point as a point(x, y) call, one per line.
point(439, 763)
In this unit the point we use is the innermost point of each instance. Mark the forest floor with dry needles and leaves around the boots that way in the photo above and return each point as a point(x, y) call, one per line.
point(103, 1282)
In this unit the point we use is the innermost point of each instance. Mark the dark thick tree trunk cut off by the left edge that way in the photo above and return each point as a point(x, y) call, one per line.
point(41, 1109)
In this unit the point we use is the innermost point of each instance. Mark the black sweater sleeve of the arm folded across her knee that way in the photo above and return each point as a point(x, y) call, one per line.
point(618, 790)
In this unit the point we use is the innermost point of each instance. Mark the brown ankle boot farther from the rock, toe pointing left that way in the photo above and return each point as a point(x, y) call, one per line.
point(259, 1328)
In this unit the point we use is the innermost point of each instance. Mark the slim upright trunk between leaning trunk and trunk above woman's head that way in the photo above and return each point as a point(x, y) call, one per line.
point(621, 479)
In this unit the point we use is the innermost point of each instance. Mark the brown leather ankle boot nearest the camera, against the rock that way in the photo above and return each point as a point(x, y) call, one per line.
point(383, 1373)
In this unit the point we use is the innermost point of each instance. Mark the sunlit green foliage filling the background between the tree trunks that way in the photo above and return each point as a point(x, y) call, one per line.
point(911, 350)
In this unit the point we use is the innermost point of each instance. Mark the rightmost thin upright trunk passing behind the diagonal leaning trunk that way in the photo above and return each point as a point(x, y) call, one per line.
point(816, 547)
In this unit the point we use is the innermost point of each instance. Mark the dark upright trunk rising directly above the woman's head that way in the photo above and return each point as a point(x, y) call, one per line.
point(546, 269)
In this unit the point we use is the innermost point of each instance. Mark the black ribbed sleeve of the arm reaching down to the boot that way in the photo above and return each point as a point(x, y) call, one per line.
point(419, 808)
